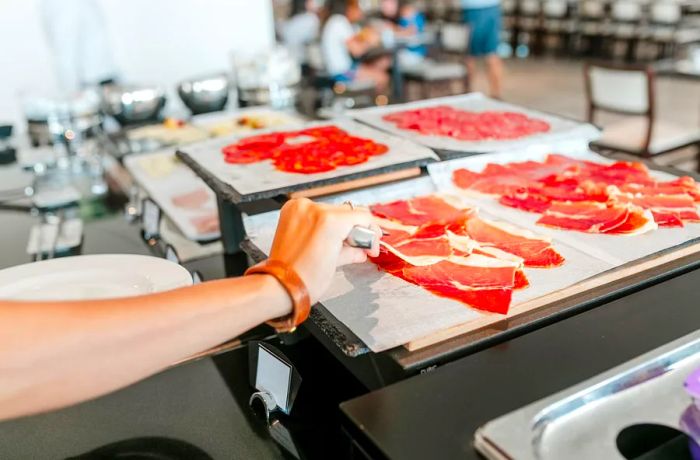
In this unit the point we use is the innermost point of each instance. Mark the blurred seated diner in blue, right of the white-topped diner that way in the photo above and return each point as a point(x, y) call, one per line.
point(407, 22)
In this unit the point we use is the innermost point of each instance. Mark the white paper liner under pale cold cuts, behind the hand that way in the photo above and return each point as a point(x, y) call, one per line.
point(163, 189)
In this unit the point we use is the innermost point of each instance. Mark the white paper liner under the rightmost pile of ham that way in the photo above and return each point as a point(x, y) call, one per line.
point(613, 249)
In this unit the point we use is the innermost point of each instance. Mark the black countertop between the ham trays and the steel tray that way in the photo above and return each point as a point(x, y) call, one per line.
point(436, 414)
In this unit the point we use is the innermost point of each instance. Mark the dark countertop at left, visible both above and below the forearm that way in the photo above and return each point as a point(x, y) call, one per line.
point(191, 403)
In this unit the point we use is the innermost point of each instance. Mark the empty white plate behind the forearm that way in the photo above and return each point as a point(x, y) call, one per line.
point(91, 277)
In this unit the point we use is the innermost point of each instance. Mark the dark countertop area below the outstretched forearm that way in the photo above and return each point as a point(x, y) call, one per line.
point(190, 403)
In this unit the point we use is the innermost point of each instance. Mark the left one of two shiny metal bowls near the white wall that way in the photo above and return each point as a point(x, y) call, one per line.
point(133, 104)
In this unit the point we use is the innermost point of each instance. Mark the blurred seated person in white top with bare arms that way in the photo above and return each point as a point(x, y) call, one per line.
point(344, 42)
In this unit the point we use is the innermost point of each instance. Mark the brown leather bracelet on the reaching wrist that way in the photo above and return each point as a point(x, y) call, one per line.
point(295, 287)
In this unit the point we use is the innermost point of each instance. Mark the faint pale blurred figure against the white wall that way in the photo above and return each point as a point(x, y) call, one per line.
point(77, 36)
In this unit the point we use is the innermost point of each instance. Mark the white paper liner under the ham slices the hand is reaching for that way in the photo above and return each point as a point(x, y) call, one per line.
point(385, 311)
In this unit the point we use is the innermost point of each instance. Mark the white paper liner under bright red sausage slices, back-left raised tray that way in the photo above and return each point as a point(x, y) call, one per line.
point(262, 176)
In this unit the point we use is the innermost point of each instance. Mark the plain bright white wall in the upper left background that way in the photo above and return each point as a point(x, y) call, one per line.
point(154, 41)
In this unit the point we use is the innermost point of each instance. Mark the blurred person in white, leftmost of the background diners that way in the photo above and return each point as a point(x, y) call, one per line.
point(303, 27)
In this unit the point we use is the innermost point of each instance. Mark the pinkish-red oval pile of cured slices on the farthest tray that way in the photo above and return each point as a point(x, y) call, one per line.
point(467, 126)
